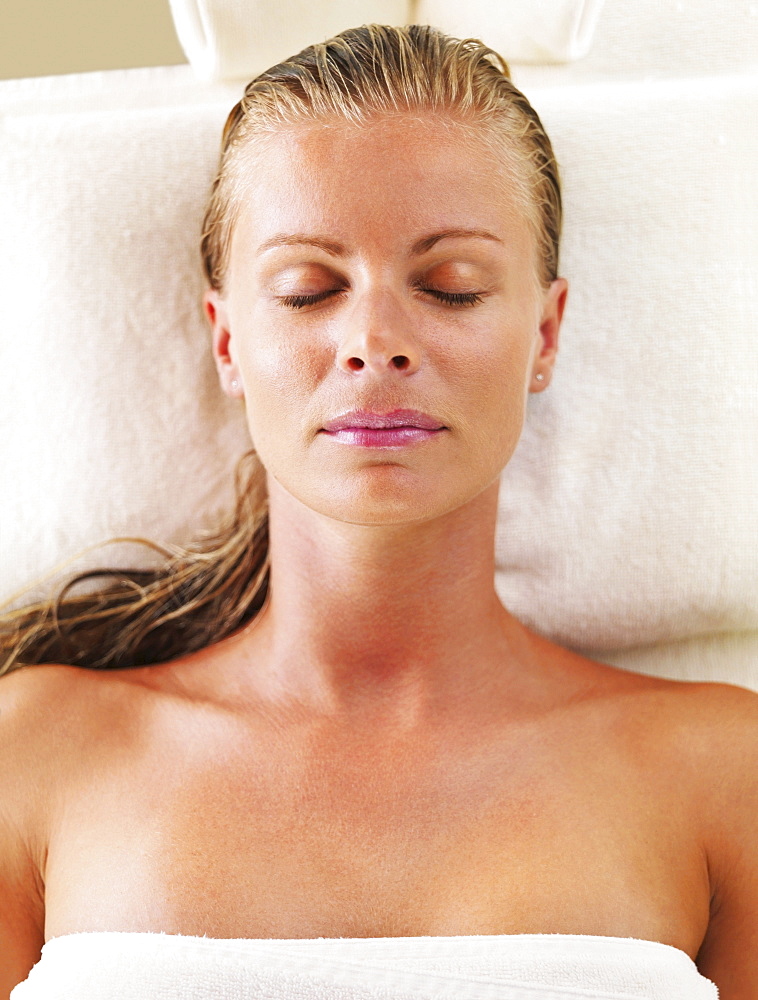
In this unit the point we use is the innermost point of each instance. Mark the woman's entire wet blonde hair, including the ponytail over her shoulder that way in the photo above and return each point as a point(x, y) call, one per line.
point(219, 582)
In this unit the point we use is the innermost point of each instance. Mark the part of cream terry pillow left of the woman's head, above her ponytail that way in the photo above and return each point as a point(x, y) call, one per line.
point(112, 419)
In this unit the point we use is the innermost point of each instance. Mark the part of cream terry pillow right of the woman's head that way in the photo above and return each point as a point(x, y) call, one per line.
point(629, 512)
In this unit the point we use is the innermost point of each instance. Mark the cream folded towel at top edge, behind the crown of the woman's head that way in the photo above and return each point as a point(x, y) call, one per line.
point(235, 39)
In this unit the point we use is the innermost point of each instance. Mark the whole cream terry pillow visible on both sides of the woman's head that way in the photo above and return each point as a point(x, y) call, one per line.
point(628, 511)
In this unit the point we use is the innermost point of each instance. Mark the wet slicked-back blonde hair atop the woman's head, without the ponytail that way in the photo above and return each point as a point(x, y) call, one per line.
point(377, 69)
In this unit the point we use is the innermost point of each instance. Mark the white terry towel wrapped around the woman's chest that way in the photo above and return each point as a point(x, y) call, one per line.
point(117, 965)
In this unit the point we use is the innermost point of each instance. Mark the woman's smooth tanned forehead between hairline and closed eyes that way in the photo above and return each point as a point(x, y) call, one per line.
point(382, 181)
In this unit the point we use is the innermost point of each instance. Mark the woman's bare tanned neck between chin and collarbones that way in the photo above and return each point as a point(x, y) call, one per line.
point(400, 620)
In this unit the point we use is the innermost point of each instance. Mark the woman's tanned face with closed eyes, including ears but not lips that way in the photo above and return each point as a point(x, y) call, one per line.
point(344, 218)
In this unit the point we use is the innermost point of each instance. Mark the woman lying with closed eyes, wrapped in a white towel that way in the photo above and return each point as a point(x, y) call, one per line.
point(323, 723)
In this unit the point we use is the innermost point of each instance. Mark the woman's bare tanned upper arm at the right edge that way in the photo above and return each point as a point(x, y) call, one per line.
point(729, 953)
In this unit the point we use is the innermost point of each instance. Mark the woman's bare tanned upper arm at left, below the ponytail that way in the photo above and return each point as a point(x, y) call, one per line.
point(21, 892)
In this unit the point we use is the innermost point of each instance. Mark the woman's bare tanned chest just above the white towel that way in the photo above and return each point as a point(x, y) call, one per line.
point(266, 839)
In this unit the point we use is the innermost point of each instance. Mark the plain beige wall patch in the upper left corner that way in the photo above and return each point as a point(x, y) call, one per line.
point(44, 37)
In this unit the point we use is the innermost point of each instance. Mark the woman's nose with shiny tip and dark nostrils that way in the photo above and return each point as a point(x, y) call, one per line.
point(376, 335)
